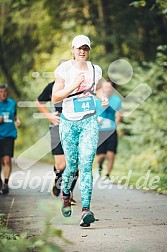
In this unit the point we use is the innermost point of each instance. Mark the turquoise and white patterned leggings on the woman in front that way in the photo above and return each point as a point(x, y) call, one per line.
point(79, 140)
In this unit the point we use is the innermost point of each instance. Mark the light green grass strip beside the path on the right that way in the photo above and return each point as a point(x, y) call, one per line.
point(125, 173)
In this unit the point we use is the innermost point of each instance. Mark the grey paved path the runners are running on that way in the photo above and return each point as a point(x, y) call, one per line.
point(127, 220)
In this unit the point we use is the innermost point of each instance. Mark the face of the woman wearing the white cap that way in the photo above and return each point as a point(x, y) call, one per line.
point(81, 53)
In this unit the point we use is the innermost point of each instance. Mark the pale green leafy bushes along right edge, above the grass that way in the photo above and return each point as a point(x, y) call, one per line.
point(147, 131)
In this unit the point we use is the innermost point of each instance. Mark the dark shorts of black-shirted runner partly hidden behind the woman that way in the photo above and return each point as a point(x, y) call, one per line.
point(55, 141)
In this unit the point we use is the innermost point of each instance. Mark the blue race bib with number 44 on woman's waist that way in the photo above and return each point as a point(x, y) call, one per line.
point(83, 104)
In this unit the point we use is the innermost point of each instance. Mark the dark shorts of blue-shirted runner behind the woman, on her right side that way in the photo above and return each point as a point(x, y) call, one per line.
point(108, 141)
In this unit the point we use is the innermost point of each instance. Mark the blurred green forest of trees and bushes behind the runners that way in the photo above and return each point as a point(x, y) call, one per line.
point(36, 35)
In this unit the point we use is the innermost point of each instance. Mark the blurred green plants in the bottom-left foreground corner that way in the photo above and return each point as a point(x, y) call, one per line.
point(11, 242)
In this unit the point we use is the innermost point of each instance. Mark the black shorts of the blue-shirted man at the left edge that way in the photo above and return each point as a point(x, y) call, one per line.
point(7, 147)
